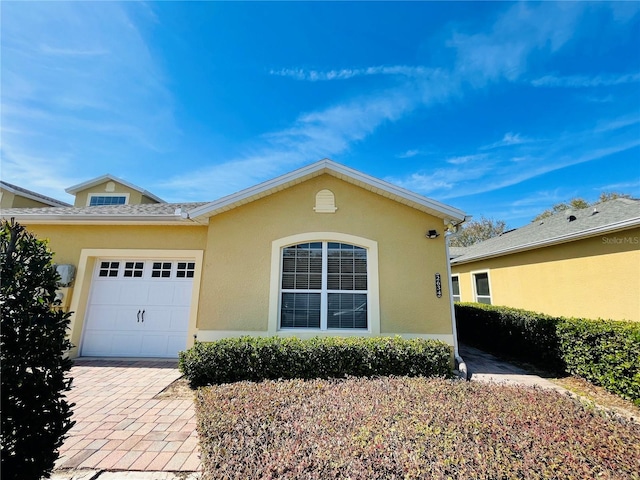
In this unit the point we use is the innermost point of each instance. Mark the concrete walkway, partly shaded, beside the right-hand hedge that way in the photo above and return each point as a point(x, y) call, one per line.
point(484, 367)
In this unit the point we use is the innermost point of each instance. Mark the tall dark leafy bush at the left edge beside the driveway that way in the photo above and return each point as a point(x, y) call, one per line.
point(35, 416)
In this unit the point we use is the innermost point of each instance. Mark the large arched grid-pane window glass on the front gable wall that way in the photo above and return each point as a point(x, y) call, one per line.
point(324, 286)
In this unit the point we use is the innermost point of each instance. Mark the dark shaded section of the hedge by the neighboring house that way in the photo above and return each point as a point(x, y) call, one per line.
point(528, 336)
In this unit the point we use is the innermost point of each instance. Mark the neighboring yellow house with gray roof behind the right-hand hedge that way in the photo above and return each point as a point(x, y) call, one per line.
point(581, 263)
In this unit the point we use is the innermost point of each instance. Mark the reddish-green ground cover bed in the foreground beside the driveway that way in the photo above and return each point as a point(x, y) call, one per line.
point(400, 427)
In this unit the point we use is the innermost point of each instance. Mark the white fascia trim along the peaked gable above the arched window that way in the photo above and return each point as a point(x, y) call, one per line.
point(323, 166)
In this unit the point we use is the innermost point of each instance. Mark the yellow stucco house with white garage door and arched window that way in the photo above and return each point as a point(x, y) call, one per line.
point(323, 250)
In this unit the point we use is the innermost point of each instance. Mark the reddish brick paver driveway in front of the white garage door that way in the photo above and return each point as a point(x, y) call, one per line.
point(119, 424)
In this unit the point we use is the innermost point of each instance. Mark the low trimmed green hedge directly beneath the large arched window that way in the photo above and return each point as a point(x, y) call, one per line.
point(261, 358)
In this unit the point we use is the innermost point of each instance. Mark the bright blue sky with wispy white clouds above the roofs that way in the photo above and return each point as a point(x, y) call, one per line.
point(501, 109)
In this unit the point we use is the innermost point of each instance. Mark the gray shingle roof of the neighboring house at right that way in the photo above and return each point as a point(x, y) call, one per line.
point(614, 215)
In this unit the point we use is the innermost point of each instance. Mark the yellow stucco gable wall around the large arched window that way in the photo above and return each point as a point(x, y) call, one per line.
point(238, 256)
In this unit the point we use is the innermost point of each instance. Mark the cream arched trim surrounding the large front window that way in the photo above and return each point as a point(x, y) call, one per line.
point(373, 302)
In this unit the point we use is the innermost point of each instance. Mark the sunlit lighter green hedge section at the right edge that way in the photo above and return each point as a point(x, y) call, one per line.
point(607, 353)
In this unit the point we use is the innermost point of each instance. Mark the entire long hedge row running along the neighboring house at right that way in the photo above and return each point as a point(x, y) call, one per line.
point(605, 352)
